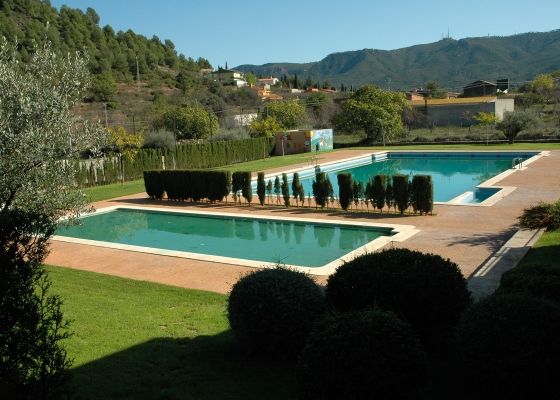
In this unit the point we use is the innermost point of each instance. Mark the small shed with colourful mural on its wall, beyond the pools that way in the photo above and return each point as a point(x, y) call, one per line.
point(304, 141)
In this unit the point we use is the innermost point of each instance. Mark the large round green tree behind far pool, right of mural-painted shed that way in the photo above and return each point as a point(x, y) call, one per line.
point(371, 108)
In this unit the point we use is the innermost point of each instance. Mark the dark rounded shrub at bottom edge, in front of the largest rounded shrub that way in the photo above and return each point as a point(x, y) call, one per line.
point(369, 354)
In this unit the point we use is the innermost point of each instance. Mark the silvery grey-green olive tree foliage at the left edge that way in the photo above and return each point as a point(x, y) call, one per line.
point(38, 130)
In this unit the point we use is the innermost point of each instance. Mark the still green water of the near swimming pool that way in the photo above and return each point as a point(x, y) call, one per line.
point(292, 243)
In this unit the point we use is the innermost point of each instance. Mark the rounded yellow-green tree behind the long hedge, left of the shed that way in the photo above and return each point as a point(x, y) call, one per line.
point(188, 122)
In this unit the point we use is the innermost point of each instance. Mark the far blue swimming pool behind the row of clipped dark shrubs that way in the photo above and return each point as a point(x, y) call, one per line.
point(462, 178)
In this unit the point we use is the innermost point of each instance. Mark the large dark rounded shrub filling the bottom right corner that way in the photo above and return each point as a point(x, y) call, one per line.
point(508, 345)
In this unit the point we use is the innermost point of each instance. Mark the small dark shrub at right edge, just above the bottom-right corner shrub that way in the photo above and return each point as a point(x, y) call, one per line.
point(539, 279)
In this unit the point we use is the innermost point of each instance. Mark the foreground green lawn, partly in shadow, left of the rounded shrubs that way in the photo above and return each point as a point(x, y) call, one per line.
point(141, 340)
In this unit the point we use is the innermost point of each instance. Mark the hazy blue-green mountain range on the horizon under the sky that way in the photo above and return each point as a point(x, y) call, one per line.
point(451, 63)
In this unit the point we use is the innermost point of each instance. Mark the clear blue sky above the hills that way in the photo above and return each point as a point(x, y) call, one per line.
point(261, 31)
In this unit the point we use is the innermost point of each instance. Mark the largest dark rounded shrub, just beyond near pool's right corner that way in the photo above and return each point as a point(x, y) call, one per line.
point(426, 290)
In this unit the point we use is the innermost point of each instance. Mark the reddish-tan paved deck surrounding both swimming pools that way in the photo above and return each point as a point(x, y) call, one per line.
point(470, 236)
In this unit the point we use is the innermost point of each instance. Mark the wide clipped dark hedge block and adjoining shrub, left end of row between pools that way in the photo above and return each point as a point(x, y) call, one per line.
point(193, 185)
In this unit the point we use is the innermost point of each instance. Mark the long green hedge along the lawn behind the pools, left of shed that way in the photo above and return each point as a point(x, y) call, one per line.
point(187, 156)
